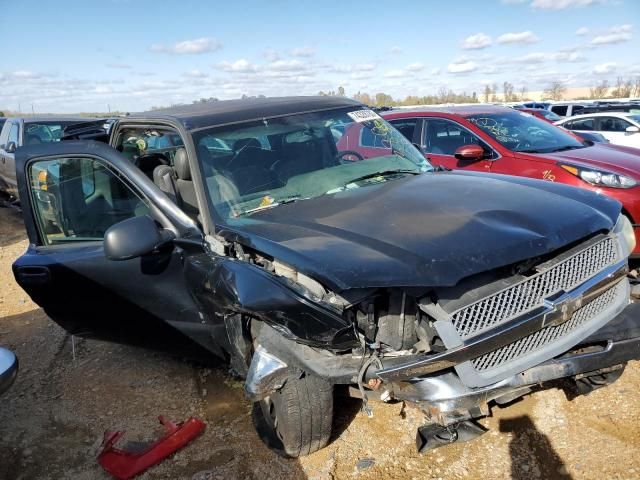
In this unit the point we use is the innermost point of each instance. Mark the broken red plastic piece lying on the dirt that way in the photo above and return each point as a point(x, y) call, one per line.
point(124, 464)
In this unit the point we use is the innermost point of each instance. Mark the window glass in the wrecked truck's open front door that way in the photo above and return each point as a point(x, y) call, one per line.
point(78, 199)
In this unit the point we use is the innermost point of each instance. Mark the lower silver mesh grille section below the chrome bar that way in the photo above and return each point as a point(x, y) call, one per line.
point(549, 334)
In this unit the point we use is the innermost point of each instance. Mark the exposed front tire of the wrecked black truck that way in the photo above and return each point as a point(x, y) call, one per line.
point(296, 420)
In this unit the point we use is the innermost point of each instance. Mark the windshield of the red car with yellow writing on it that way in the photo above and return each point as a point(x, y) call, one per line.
point(521, 132)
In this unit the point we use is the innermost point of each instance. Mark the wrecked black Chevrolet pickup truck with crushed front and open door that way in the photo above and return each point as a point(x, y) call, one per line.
point(242, 226)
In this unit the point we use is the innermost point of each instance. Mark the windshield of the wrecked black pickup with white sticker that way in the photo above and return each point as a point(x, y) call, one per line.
point(257, 165)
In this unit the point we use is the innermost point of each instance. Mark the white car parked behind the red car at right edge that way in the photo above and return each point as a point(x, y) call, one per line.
point(620, 128)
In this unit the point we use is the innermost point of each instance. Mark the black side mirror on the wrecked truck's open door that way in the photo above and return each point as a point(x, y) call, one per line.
point(133, 238)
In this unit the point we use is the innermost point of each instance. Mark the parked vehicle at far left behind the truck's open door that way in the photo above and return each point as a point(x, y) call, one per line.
point(17, 132)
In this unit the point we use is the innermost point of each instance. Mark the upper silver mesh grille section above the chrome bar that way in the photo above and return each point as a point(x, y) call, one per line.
point(531, 292)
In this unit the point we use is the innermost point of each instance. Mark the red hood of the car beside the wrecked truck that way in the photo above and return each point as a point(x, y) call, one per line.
point(605, 156)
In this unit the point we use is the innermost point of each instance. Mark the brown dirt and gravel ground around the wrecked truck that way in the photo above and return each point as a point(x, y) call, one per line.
point(53, 419)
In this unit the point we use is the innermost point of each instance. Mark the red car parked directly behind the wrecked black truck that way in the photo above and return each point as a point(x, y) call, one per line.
point(502, 140)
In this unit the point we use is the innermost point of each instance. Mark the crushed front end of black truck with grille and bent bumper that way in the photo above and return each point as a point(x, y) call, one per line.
point(492, 337)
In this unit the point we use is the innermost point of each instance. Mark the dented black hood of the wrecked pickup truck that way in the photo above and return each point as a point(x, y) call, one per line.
point(428, 230)
